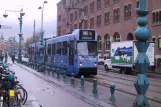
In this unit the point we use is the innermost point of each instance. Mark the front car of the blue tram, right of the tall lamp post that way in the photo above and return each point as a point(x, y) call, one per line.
point(76, 53)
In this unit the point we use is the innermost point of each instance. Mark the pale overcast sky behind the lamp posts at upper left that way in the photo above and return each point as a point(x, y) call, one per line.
point(32, 12)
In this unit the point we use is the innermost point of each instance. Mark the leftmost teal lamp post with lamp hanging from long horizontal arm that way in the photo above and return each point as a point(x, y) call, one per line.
point(20, 34)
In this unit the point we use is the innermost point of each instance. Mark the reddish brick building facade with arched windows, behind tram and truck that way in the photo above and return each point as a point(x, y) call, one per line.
point(114, 20)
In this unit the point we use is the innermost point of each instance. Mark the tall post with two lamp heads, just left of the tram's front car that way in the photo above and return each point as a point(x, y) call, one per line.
point(42, 34)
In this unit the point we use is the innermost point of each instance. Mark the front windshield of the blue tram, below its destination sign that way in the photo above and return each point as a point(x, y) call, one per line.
point(87, 48)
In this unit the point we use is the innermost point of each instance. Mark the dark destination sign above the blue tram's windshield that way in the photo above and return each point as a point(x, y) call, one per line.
point(87, 35)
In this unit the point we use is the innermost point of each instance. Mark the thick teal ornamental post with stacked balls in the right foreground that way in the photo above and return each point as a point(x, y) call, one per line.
point(142, 34)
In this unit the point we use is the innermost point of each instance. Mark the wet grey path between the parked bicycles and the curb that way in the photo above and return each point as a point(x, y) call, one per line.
point(45, 94)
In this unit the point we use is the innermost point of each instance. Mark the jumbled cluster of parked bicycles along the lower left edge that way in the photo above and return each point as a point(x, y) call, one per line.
point(12, 94)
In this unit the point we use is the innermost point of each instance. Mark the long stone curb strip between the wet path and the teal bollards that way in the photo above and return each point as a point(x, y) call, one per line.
point(89, 99)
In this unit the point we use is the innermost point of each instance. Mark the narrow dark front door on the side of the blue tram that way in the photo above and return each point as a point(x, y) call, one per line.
point(71, 53)
